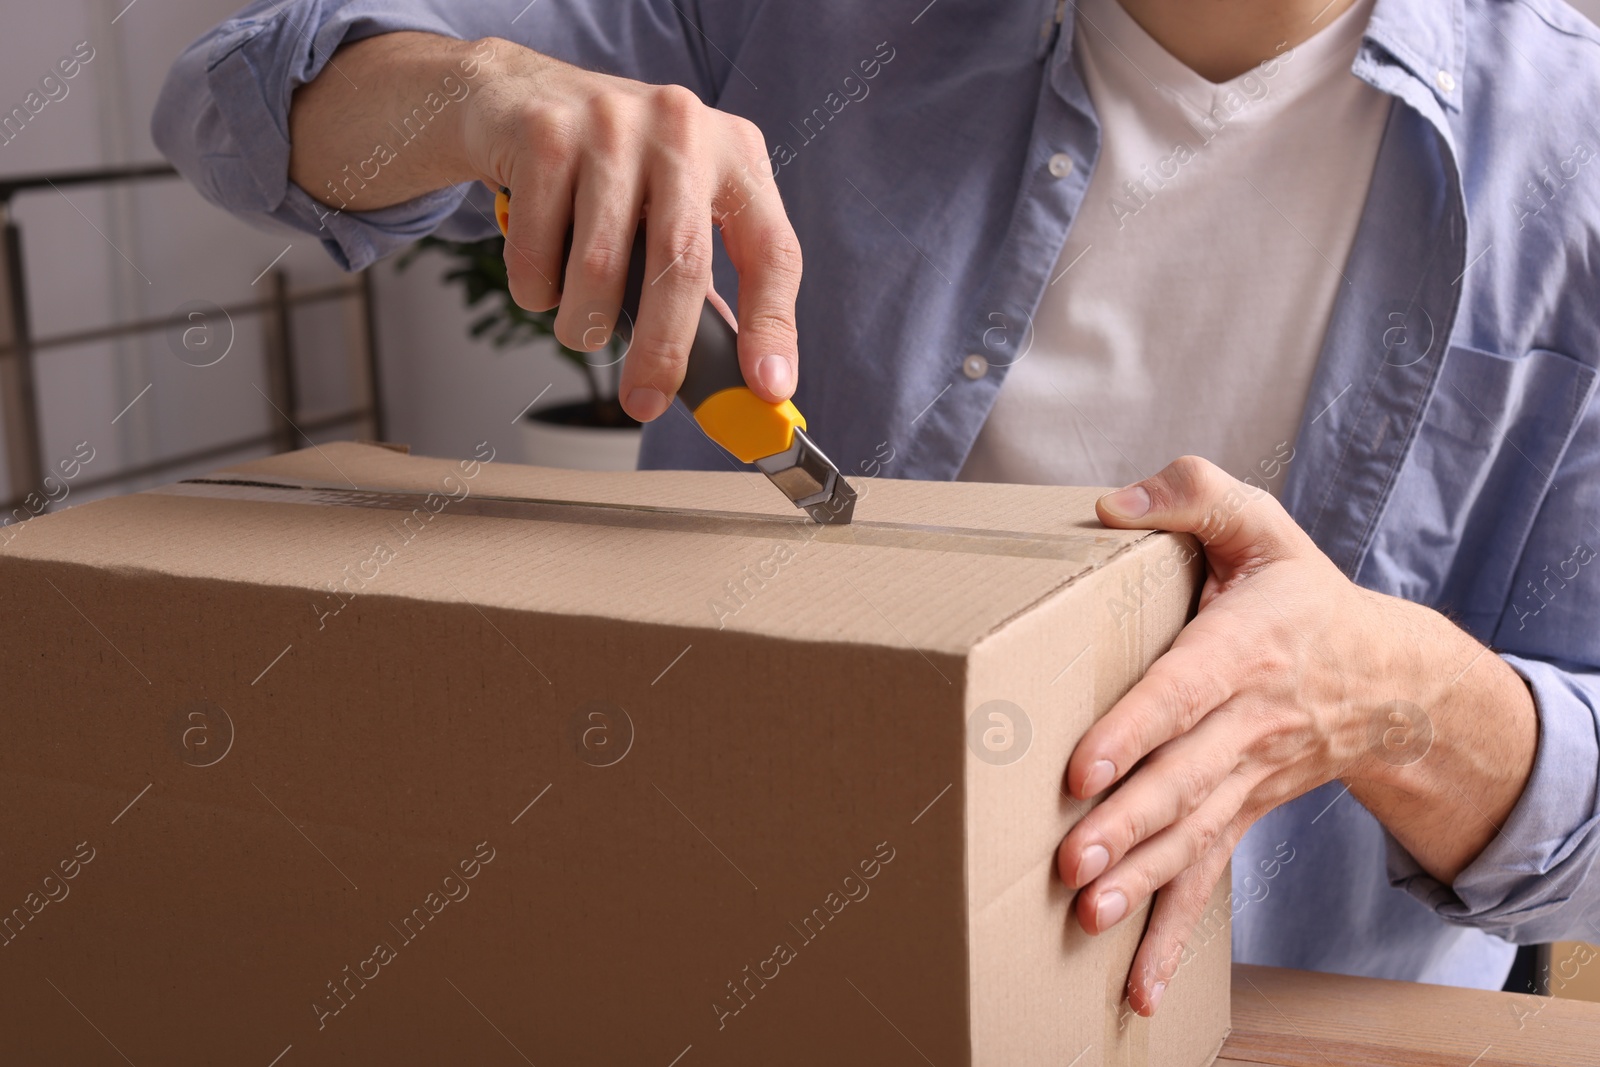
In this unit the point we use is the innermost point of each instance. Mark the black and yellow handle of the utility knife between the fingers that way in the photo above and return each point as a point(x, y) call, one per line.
point(713, 388)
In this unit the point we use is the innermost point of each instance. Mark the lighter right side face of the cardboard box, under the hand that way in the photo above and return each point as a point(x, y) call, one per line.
point(1065, 665)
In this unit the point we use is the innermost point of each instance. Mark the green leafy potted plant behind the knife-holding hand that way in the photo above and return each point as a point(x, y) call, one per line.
point(481, 271)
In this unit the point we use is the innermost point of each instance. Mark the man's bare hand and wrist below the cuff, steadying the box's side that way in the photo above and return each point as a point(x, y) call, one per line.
point(1289, 677)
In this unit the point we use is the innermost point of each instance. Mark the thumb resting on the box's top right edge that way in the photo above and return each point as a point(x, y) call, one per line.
point(1236, 522)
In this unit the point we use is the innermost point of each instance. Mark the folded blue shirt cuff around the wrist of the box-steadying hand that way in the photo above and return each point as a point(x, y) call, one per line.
point(1529, 884)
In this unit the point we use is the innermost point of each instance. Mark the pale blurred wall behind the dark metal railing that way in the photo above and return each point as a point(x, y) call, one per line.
point(145, 250)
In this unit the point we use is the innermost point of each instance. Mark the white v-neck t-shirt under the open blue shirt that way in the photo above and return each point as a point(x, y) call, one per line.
point(1190, 303)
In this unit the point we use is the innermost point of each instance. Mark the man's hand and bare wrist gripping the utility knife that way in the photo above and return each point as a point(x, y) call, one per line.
point(583, 151)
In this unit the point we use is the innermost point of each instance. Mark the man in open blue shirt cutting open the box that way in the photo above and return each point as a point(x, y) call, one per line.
point(1350, 252)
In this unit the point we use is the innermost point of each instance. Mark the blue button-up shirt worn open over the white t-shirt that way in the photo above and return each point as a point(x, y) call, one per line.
point(1450, 447)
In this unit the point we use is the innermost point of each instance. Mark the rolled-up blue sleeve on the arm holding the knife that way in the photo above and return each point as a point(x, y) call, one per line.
point(223, 113)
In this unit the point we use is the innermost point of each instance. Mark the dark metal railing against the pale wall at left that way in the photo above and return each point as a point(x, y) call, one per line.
point(23, 442)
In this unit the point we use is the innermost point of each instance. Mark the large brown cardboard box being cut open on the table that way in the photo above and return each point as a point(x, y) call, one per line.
point(473, 764)
